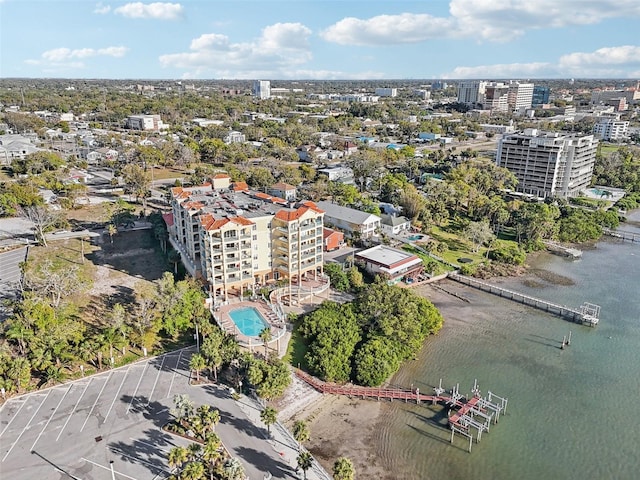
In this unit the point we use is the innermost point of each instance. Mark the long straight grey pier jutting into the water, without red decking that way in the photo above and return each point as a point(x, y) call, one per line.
point(587, 314)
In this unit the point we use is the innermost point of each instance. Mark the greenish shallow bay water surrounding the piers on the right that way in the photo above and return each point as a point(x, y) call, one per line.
point(572, 413)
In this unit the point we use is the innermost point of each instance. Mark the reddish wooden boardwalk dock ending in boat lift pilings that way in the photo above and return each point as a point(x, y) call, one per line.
point(466, 416)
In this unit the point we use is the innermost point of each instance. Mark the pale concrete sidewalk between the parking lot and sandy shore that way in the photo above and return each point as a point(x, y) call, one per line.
point(281, 440)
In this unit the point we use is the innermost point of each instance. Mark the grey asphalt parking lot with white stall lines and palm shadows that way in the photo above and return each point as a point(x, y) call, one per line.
point(109, 426)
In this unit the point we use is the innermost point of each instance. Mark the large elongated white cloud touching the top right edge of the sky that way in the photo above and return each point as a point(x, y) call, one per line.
point(492, 20)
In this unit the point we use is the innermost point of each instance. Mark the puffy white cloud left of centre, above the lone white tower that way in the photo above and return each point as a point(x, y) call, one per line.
point(279, 49)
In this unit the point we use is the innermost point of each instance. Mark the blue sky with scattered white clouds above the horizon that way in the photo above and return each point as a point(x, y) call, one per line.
point(320, 39)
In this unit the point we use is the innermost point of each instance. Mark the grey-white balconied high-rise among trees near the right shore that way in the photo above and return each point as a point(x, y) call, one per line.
point(548, 164)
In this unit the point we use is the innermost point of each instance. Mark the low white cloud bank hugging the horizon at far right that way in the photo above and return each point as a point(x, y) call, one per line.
point(607, 62)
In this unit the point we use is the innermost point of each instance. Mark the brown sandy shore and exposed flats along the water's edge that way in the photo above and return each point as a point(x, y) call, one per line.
point(354, 428)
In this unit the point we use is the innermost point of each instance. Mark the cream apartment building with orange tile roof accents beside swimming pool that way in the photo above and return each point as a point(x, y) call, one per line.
point(235, 238)
